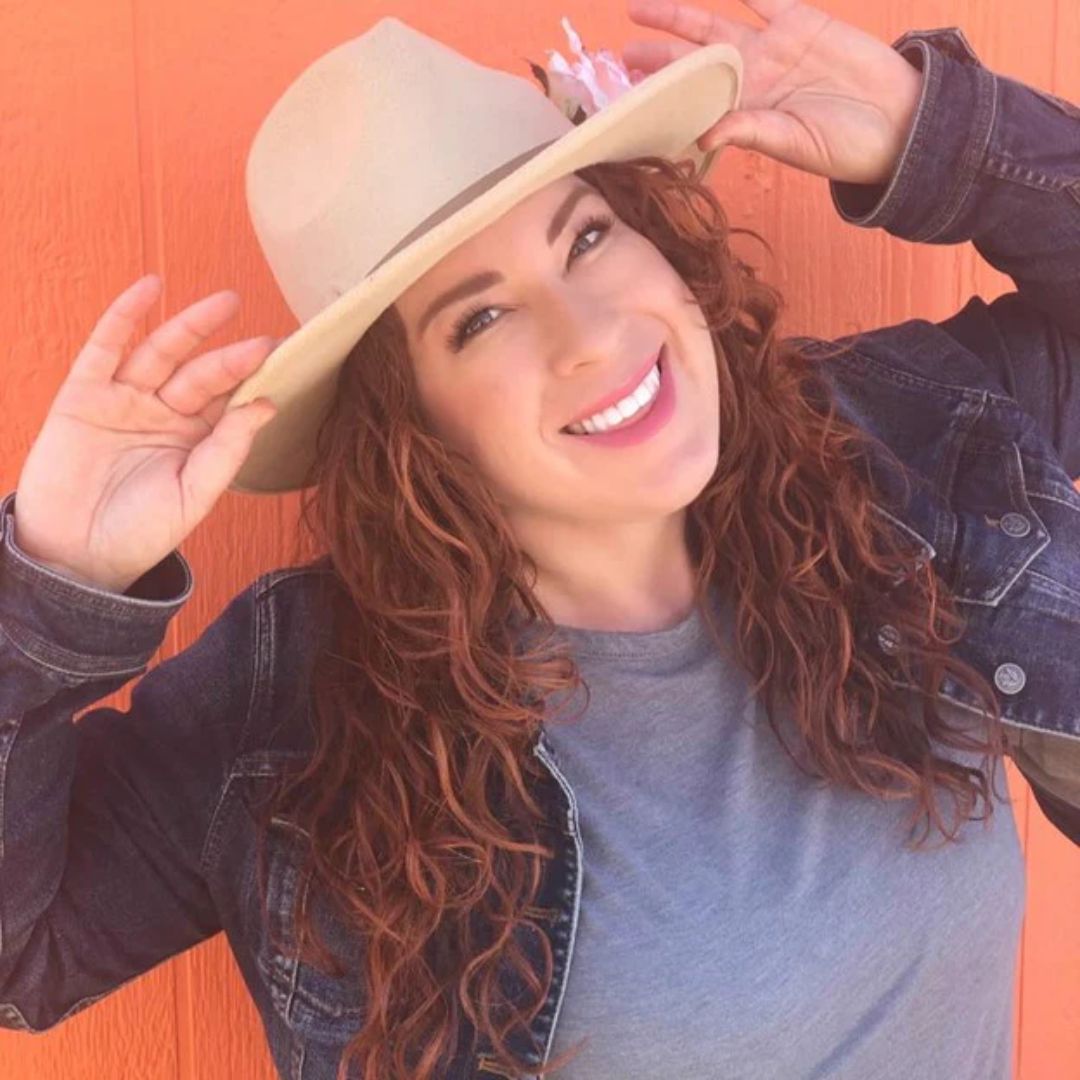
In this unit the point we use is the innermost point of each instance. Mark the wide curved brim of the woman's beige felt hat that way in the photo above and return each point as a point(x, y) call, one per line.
point(664, 115)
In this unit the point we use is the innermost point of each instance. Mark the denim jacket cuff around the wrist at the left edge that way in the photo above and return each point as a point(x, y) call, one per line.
point(78, 629)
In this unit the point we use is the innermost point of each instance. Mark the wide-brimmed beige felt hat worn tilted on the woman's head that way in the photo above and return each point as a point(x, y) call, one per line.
point(386, 154)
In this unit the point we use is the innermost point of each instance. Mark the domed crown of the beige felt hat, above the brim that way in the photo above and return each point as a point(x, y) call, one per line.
point(390, 111)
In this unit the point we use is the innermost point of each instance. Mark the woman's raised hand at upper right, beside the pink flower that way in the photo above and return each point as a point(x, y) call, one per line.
point(817, 93)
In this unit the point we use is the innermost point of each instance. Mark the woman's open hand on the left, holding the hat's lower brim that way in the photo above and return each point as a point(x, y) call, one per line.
point(134, 453)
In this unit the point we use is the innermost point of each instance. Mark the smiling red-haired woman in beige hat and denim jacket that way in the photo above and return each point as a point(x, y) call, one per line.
point(363, 773)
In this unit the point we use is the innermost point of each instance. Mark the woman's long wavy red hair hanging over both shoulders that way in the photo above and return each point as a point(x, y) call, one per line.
point(420, 800)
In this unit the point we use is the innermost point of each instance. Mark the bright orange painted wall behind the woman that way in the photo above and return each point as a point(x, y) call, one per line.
point(124, 131)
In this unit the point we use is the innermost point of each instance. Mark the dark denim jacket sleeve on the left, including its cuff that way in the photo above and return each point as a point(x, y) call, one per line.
point(105, 821)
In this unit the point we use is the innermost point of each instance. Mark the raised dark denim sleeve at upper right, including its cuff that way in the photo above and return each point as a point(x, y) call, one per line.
point(997, 163)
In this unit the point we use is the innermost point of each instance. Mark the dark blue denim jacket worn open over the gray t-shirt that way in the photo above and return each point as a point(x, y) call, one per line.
point(129, 838)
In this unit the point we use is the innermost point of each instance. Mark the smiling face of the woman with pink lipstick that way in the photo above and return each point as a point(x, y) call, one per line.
point(561, 315)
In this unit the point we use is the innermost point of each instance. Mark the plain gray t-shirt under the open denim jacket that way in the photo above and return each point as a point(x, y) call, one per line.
point(744, 922)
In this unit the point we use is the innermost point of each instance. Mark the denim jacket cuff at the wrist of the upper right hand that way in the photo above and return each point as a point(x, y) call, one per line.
point(946, 147)
